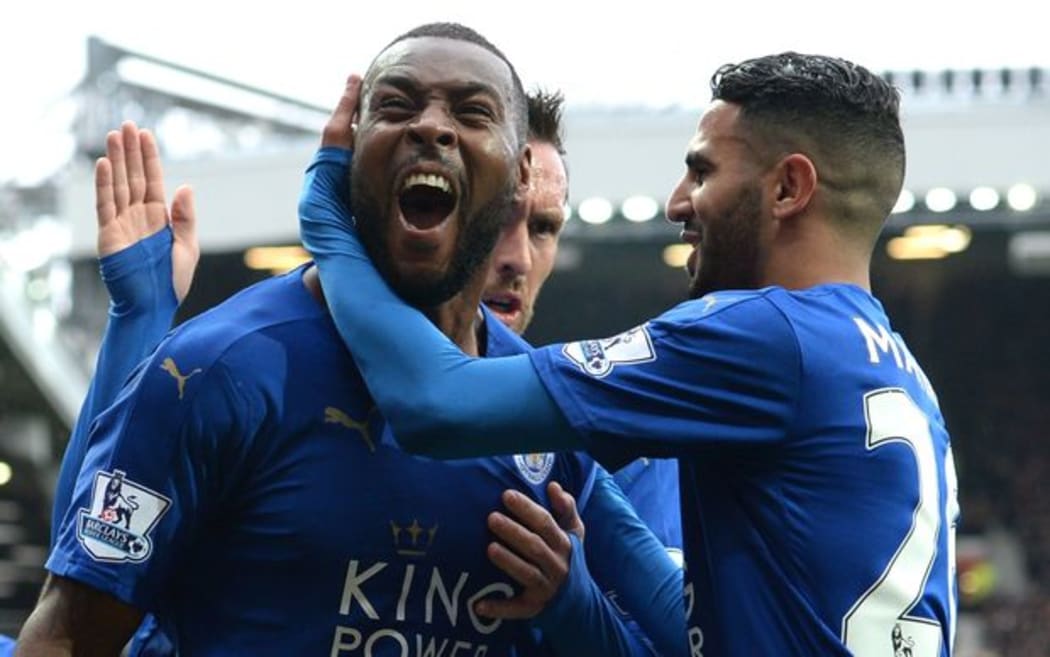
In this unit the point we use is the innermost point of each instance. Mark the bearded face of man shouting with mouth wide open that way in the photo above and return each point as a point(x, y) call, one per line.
point(436, 164)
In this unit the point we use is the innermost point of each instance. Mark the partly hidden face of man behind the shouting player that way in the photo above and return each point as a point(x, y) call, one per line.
point(524, 256)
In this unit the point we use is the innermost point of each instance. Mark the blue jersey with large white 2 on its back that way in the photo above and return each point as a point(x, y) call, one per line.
point(797, 418)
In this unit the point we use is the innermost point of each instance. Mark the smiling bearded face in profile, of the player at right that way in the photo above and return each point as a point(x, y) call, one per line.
point(720, 203)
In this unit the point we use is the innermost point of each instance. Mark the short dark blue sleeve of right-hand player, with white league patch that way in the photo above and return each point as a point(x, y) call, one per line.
point(687, 382)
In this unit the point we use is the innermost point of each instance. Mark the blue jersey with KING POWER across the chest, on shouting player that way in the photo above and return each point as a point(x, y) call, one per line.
point(245, 489)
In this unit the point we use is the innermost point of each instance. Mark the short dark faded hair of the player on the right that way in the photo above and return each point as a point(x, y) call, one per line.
point(843, 116)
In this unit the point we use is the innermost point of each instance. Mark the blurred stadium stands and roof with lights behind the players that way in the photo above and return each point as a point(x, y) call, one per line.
point(963, 269)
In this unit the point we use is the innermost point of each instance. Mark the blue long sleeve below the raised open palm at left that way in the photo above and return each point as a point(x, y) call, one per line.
point(142, 307)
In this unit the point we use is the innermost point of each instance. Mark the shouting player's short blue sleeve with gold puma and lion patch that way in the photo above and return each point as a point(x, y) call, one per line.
point(158, 464)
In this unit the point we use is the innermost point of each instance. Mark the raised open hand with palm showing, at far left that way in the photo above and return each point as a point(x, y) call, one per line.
point(131, 203)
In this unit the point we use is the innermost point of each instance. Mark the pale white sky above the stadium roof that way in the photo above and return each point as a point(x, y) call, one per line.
point(655, 53)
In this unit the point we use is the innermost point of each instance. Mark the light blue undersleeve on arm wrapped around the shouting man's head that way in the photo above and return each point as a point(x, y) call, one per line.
point(459, 407)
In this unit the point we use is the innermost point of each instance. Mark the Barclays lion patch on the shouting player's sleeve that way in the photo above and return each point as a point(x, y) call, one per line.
point(122, 516)
